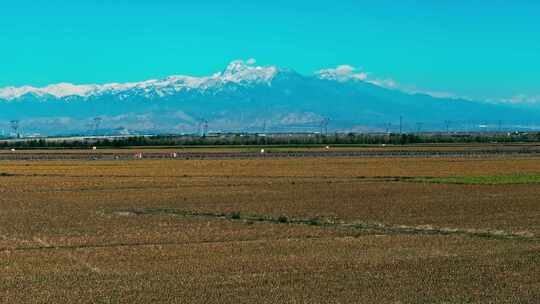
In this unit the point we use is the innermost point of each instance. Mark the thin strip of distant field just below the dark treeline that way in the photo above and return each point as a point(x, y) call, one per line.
point(254, 152)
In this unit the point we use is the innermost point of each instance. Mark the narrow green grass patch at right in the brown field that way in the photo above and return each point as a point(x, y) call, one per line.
point(482, 180)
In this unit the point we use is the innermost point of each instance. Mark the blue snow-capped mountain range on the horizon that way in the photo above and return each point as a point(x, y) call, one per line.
point(243, 96)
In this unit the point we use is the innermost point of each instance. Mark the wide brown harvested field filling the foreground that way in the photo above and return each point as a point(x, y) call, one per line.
point(271, 230)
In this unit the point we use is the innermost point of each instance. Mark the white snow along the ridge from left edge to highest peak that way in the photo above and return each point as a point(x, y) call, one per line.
point(239, 72)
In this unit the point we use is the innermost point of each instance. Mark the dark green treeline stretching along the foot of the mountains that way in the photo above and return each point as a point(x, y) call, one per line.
point(285, 139)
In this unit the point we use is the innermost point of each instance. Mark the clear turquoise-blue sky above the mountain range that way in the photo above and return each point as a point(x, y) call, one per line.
point(468, 47)
